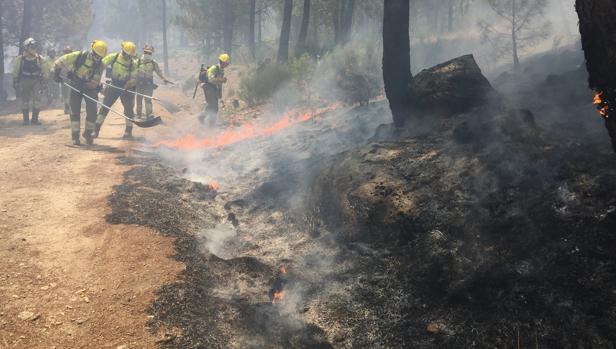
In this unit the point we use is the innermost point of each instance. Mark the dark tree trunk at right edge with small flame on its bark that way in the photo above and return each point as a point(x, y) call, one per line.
point(598, 30)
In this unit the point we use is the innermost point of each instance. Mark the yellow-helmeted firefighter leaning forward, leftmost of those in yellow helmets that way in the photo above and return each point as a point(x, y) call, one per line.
point(85, 69)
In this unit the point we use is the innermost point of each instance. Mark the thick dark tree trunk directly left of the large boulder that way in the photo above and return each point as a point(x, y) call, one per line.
point(396, 59)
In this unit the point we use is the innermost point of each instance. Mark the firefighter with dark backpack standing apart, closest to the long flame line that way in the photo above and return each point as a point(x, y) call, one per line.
point(213, 78)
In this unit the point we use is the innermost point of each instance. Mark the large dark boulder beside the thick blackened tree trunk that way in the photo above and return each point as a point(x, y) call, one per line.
point(452, 87)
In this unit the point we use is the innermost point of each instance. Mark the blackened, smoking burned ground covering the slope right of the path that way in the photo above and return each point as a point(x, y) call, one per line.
point(473, 231)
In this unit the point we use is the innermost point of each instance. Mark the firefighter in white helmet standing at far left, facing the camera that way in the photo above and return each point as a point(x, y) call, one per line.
point(29, 73)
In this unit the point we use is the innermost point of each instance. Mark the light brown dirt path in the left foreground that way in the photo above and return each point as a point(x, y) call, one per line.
point(68, 279)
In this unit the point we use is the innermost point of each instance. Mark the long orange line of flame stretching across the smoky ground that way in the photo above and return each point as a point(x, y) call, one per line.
point(245, 132)
